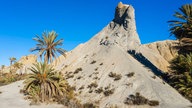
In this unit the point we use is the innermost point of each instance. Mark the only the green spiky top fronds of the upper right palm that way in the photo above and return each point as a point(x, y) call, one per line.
point(183, 26)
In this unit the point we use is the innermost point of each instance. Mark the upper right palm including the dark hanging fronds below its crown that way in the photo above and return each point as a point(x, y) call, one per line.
point(182, 28)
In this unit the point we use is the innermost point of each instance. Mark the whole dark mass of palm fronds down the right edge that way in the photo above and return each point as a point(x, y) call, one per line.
point(181, 66)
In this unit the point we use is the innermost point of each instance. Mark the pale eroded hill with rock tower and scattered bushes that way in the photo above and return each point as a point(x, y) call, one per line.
point(113, 66)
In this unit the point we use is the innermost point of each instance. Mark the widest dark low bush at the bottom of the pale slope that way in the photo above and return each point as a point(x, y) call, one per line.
point(137, 99)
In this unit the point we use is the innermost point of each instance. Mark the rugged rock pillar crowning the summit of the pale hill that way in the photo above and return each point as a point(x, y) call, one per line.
point(122, 29)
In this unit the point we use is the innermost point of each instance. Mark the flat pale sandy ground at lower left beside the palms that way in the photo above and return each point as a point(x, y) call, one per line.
point(11, 98)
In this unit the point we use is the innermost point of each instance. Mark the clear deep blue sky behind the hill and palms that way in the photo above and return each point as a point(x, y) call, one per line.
point(76, 21)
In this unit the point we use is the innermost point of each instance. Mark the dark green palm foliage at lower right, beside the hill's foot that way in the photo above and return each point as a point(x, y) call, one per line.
point(181, 76)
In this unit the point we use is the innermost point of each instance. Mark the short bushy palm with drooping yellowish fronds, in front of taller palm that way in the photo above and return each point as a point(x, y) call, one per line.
point(45, 82)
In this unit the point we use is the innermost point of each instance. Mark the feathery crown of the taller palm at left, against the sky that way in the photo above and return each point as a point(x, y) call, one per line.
point(47, 46)
